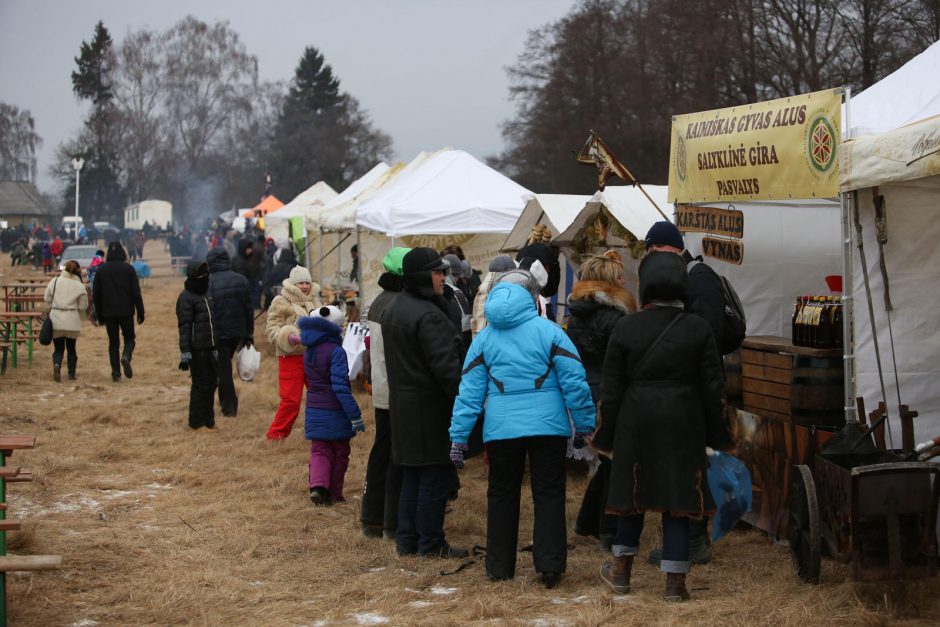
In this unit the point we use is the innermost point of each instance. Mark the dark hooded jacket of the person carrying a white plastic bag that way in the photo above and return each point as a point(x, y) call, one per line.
point(230, 294)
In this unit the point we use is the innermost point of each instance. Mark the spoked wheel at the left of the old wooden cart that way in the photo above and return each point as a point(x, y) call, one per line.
point(805, 534)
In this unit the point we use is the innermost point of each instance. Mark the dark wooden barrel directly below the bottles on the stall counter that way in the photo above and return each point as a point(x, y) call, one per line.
point(816, 391)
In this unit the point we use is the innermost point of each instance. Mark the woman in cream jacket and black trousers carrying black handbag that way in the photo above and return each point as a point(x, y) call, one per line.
point(68, 299)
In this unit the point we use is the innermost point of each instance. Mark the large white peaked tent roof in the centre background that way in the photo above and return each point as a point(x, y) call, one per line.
point(450, 192)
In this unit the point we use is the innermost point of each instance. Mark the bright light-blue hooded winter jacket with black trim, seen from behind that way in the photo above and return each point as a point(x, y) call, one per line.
point(527, 372)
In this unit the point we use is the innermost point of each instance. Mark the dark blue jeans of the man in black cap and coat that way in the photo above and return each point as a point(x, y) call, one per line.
point(424, 492)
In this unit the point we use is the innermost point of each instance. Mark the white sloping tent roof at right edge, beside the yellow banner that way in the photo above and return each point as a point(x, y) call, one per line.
point(909, 94)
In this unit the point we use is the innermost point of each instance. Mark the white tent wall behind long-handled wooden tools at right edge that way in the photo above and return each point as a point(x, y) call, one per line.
point(912, 258)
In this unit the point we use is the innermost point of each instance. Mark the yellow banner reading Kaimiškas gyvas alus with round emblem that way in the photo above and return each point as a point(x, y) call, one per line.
point(779, 149)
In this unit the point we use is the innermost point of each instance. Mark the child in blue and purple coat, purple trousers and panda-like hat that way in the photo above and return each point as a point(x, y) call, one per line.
point(332, 417)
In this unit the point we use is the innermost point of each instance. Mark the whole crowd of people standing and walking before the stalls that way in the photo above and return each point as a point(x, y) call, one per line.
point(460, 366)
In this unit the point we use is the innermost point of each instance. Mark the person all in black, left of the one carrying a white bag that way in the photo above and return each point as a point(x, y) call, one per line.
point(197, 344)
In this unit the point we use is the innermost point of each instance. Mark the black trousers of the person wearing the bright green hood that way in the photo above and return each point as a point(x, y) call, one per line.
point(382, 487)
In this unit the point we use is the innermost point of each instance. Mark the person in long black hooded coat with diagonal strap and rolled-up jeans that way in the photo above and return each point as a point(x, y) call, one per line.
point(661, 406)
